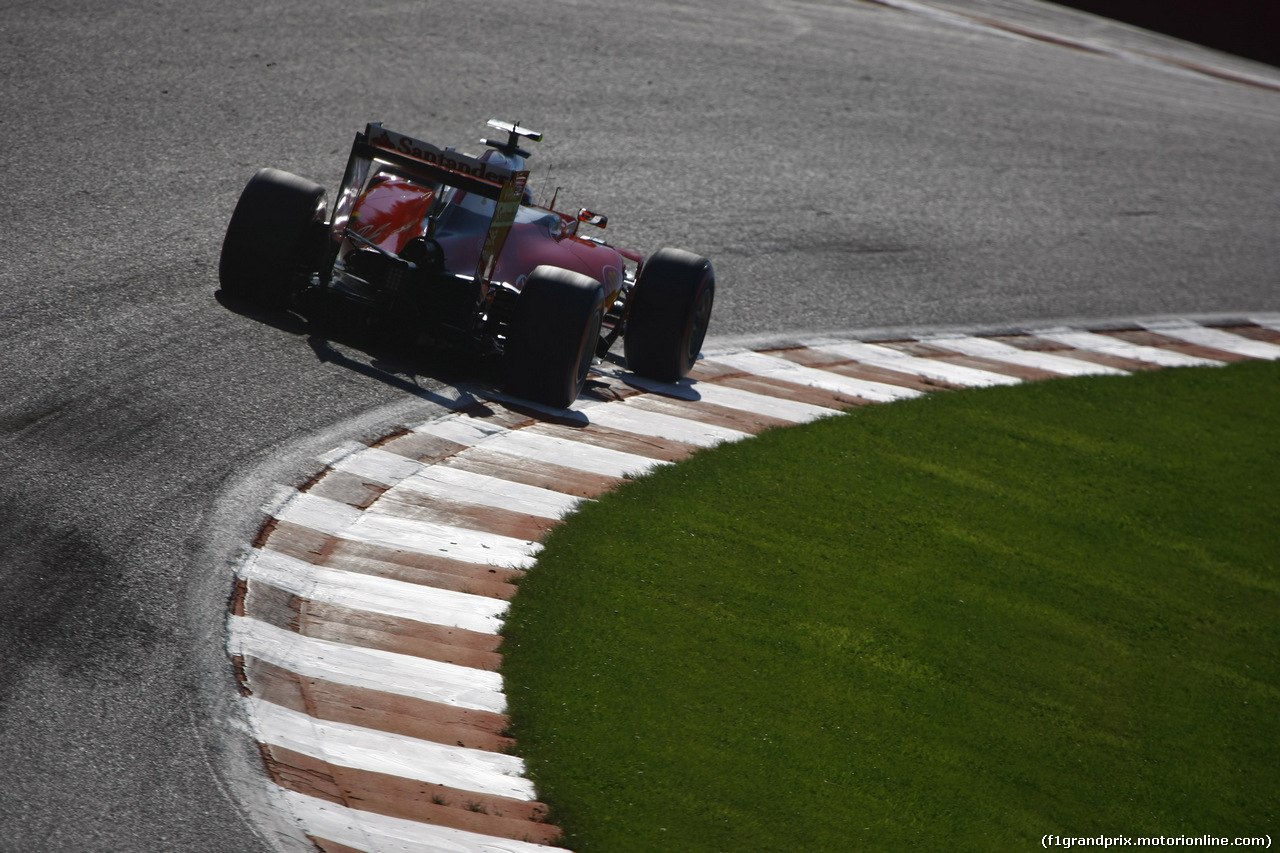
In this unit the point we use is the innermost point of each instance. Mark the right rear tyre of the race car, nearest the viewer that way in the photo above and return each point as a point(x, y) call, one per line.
point(552, 337)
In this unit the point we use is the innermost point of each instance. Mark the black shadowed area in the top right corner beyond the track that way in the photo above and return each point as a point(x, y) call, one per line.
point(1249, 29)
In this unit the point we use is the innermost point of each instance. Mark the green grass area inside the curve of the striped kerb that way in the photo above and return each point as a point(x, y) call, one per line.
point(956, 623)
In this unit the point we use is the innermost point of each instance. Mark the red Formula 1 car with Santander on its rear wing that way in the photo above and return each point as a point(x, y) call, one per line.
point(447, 248)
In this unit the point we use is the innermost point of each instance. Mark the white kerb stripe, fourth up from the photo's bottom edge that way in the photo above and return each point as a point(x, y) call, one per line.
point(417, 603)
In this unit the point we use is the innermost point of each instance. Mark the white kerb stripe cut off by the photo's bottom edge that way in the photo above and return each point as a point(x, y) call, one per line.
point(377, 833)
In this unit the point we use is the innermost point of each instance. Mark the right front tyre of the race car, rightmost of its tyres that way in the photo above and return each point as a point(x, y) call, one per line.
point(671, 307)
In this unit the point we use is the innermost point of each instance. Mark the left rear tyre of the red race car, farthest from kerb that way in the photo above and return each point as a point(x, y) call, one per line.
point(275, 240)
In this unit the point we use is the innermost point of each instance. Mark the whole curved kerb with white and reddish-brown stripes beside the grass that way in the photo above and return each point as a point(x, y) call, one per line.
point(367, 618)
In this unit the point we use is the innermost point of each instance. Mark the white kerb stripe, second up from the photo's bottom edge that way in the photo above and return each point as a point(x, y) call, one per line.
point(396, 755)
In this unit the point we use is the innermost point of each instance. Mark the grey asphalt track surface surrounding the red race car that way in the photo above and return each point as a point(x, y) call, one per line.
point(847, 166)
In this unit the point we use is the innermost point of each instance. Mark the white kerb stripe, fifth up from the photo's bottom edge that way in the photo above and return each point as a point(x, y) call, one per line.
point(373, 527)
